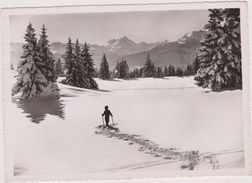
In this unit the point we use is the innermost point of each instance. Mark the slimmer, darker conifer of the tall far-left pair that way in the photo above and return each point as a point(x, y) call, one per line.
point(45, 62)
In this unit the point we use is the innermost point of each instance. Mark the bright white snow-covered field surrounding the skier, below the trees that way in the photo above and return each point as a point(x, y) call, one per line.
point(55, 138)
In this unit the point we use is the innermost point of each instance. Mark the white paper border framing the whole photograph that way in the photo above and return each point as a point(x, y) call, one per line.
point(6, 97)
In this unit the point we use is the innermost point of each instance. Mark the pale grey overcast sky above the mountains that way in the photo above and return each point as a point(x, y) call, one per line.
point(98, 28)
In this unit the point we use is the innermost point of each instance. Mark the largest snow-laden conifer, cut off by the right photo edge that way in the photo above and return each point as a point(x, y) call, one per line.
point(220, 51)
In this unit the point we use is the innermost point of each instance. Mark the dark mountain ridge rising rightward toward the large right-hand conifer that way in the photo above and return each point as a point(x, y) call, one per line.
point(178, 53)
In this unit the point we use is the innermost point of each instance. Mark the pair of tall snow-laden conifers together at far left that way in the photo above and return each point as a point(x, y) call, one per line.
point(36, 70)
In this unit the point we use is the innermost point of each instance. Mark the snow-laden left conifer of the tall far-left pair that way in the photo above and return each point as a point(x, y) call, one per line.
point(30, 81)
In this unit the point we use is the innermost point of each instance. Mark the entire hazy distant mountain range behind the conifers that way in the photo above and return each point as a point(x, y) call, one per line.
point(177, 53)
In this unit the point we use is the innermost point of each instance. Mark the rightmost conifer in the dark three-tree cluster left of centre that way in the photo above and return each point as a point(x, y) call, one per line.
point(88, 67)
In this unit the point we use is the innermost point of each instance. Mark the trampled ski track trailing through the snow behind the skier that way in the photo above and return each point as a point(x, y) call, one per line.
point(193, 158)
